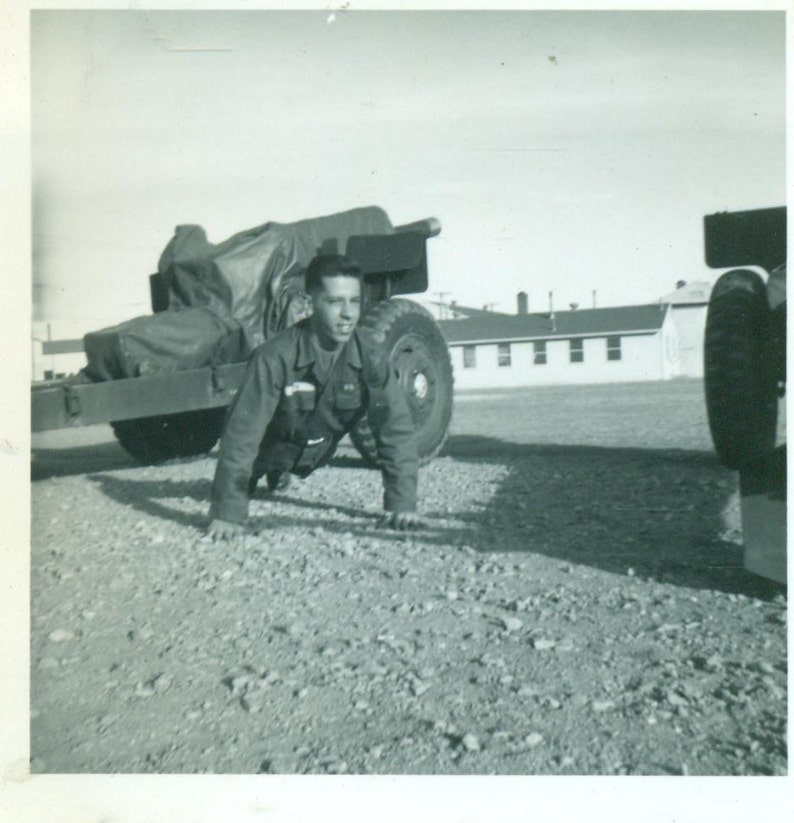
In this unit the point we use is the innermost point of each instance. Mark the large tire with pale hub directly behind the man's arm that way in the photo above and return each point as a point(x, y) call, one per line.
point(419, 355)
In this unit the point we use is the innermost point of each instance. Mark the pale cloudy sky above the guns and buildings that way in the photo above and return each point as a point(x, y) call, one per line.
point(564, 151)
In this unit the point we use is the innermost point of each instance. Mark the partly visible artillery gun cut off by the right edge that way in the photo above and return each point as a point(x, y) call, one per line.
point(745, 373)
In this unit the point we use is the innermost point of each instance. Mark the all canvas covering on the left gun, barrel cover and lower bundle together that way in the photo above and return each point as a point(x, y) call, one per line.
point(224, 299)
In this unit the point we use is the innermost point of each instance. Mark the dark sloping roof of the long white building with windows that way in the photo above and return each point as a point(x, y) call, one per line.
point(580, 323)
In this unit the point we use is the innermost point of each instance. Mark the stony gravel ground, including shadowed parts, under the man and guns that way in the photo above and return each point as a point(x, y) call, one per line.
point(576, 605)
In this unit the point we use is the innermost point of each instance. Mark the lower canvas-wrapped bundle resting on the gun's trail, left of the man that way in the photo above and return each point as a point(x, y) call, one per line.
point(163, 342)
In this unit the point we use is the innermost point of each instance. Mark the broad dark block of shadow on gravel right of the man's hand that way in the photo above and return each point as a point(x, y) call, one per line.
point(653, 513)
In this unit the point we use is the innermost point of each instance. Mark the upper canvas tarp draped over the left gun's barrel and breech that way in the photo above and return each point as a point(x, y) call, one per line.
point(253, 276)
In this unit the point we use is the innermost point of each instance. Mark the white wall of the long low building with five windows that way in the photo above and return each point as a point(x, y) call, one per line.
point(643, 357)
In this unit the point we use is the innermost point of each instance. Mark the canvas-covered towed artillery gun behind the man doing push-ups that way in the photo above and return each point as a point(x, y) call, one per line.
point(165, 380)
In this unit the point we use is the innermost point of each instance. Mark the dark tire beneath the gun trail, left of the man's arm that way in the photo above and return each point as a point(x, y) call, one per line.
point(153, 440)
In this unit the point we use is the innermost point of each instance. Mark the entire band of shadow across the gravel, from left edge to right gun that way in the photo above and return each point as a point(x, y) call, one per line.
point(657, 514)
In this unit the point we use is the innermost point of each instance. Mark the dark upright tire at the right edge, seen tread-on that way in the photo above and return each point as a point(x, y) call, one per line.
point(740, 382)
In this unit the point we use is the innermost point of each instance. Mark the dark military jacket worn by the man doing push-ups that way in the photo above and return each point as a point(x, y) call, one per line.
point(284, 414)
